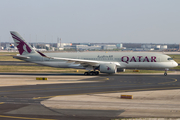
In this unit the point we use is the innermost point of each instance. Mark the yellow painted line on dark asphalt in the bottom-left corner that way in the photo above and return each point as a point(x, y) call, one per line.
point(25, 118)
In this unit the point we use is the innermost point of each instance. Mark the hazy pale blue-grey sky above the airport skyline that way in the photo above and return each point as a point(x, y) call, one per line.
point(94, 21)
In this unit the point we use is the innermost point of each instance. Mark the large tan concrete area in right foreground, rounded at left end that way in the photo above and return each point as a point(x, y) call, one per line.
point(161, 103)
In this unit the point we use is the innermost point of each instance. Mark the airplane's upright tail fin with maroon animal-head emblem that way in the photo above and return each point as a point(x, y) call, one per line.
point(23, 47)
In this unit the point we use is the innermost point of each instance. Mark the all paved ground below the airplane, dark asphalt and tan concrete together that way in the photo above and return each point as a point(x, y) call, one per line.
point(75, 96)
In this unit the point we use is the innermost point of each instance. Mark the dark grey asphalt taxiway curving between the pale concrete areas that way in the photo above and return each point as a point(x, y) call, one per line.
point(16, 97)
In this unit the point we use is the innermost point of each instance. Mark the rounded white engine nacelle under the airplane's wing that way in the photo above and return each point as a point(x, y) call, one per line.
point(108, 68)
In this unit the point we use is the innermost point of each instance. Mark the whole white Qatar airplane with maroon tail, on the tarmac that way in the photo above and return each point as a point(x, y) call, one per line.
point(94, 62)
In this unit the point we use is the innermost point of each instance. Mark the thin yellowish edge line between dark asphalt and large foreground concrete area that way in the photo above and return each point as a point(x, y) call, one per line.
point(46, 97)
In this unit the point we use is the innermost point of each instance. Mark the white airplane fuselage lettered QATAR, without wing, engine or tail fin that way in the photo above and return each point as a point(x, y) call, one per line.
point(124, 59)
